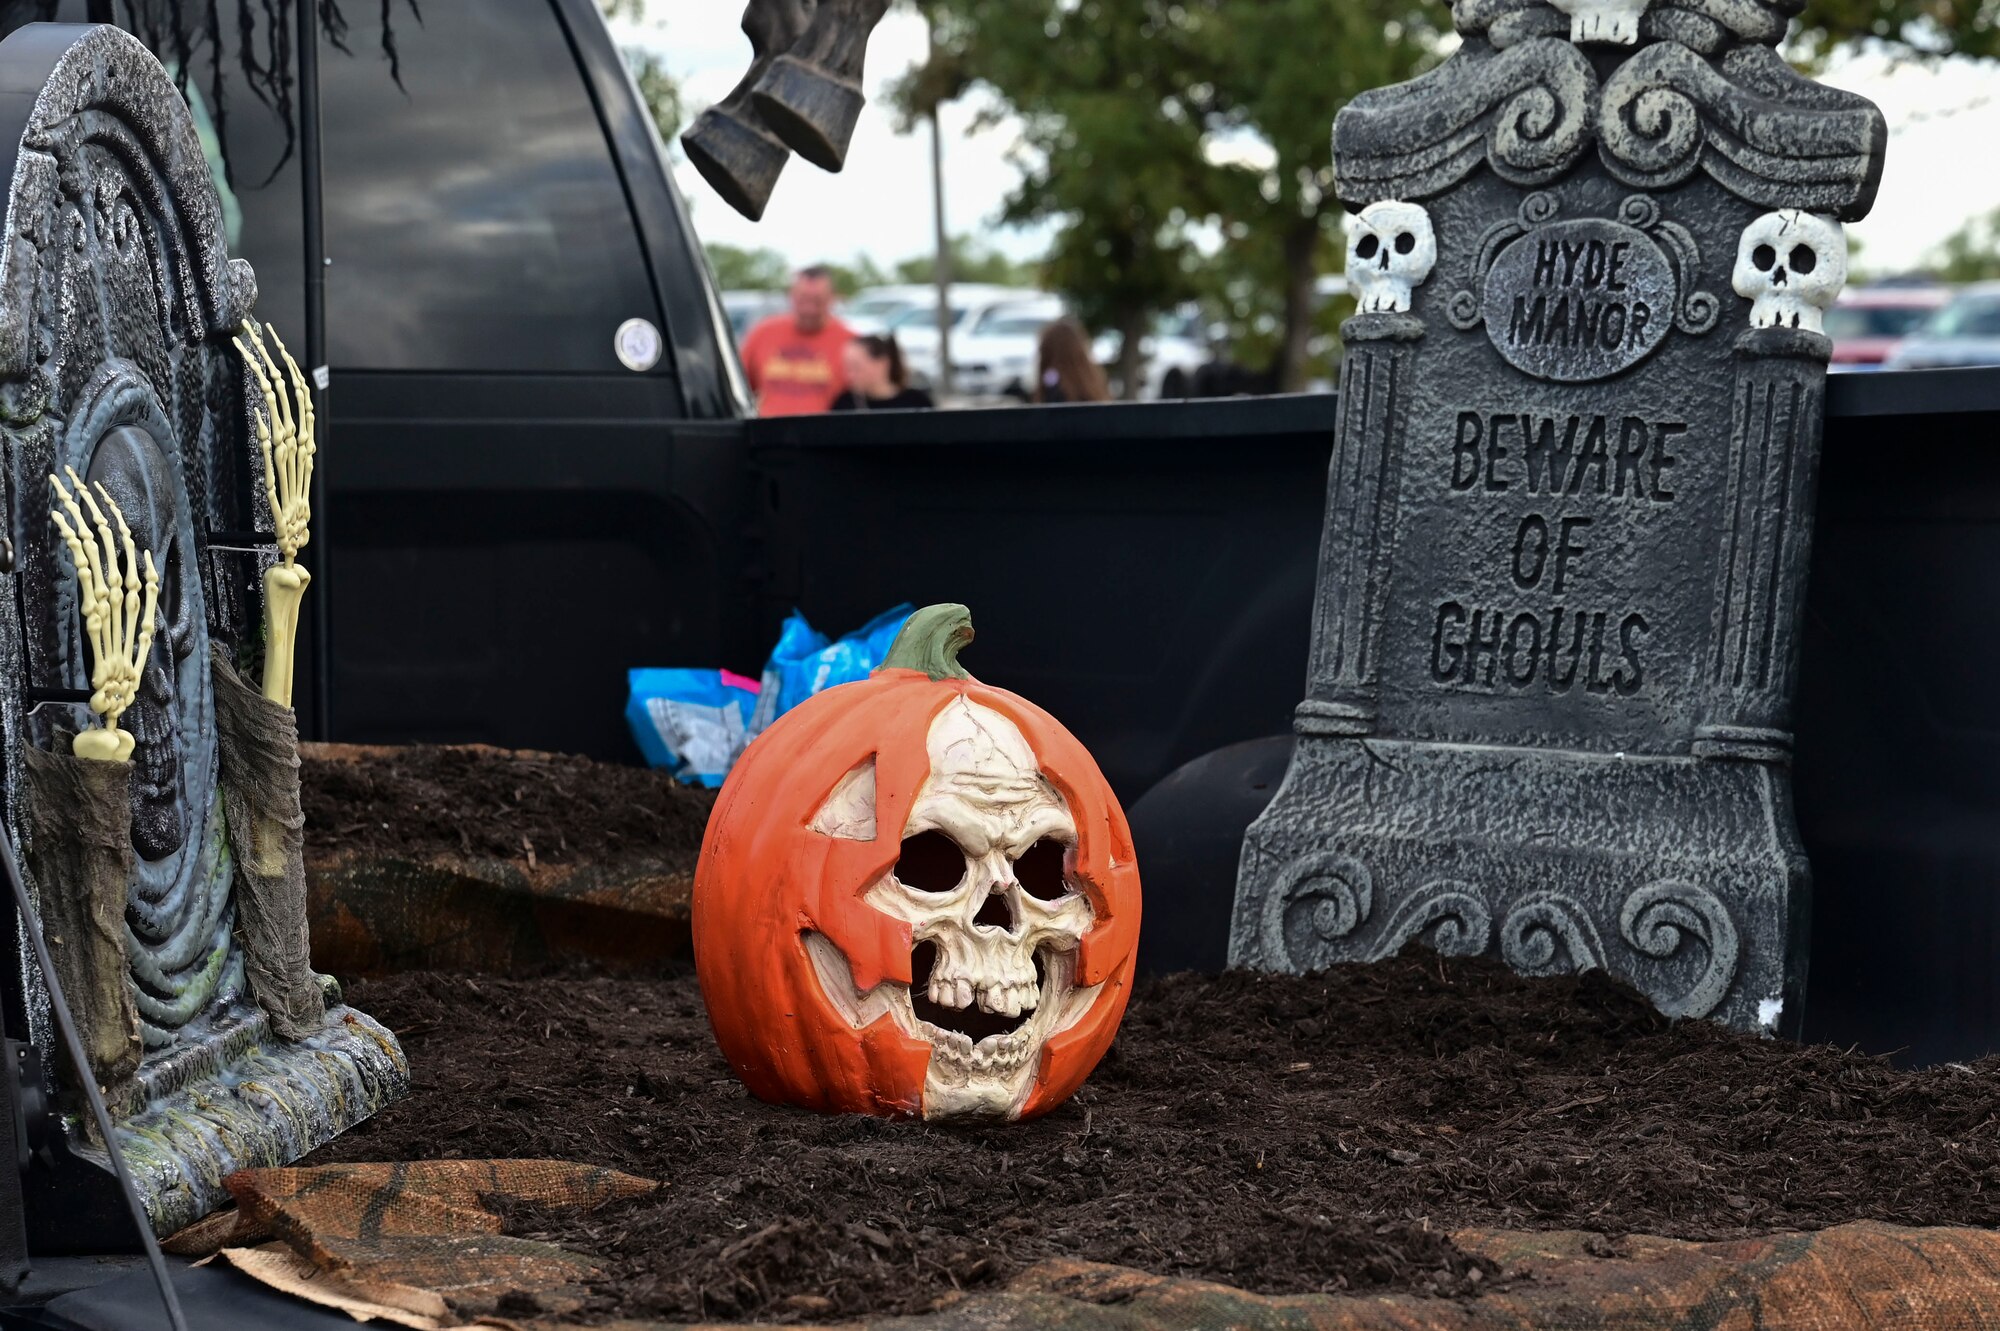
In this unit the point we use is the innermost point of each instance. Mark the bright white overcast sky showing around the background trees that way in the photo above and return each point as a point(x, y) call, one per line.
point(1945, 123)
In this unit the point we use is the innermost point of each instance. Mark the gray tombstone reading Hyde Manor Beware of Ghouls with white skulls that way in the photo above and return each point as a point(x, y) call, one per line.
point(1569, 511)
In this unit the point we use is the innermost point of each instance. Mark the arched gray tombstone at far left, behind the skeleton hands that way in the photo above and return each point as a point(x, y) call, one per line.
point(117, 315)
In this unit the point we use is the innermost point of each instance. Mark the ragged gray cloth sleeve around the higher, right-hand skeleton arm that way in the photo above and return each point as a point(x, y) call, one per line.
point(259, 748)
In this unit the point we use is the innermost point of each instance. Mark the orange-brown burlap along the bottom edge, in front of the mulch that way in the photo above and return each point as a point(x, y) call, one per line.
point(421, 1246)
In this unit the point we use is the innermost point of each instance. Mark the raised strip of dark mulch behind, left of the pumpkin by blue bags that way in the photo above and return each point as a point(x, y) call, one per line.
point(427, 800)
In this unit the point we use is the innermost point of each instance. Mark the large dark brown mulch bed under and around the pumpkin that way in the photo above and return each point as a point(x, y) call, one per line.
point(1267, 1132)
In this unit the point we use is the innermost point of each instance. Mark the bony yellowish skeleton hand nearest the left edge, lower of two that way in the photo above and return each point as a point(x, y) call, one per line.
point(115, 623)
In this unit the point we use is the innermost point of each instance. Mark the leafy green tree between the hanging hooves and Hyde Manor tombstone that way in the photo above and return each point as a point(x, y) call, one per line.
point(1131, 113)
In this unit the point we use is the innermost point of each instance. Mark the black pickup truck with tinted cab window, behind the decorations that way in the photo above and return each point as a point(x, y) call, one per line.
point(513, 517)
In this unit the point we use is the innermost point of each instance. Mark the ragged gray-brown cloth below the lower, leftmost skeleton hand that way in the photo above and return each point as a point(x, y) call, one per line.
point(79, 848)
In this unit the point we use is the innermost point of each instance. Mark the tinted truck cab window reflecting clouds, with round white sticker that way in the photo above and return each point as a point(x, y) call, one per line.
point(473, 215)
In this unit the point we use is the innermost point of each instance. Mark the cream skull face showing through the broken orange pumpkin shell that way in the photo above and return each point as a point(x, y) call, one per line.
point(995, 922)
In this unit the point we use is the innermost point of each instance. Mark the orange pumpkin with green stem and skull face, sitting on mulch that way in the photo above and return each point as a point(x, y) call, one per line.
point(917, 898)
